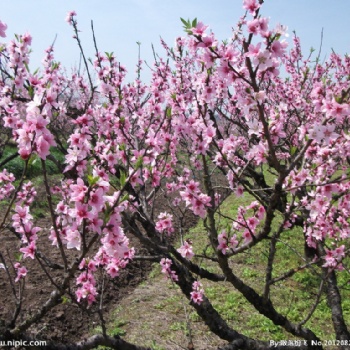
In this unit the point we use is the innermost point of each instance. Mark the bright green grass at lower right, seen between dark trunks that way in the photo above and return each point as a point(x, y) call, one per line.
point(292, 297)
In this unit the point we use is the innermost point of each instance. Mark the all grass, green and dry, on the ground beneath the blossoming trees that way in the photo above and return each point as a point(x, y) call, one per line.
point(160, 310)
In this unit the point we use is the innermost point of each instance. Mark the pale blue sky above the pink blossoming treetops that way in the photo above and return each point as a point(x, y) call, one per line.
point(120, 24)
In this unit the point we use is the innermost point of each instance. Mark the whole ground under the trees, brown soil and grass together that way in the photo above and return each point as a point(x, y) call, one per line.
point(146, 309)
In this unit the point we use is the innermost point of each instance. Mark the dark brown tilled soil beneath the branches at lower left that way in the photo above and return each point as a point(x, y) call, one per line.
point(66, 322)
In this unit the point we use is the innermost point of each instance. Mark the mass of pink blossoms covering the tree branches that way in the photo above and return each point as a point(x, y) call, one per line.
point(210, 125)
